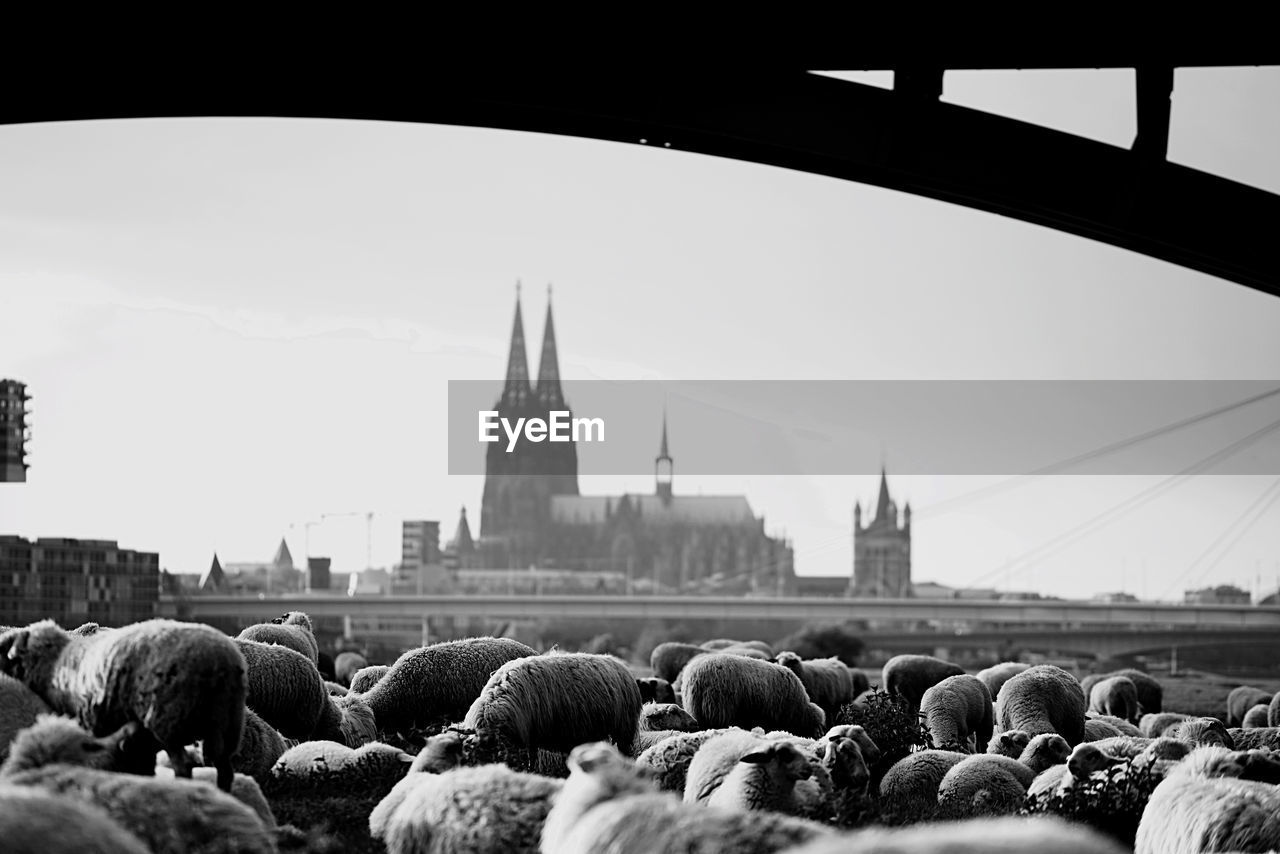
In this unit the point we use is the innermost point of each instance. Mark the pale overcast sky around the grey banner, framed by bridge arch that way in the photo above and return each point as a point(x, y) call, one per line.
point(235, 326)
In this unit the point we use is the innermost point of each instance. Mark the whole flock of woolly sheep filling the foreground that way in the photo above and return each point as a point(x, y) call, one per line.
point(170, 737)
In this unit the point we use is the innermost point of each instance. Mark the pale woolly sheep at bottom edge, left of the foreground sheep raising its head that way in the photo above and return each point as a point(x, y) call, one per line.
point(470, 811)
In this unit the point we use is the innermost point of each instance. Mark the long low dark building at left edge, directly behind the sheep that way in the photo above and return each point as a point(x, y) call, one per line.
point(74, 582)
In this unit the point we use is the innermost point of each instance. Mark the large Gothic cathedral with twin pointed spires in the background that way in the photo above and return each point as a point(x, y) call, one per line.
point(533, 517)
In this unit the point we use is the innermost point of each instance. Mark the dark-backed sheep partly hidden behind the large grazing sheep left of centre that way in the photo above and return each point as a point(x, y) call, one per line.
point(440, 682)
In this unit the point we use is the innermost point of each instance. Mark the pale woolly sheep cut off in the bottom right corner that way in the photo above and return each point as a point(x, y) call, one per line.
point(1206, 805)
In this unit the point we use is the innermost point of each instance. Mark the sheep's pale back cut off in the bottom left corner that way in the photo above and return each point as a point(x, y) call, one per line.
point(36, 823)
